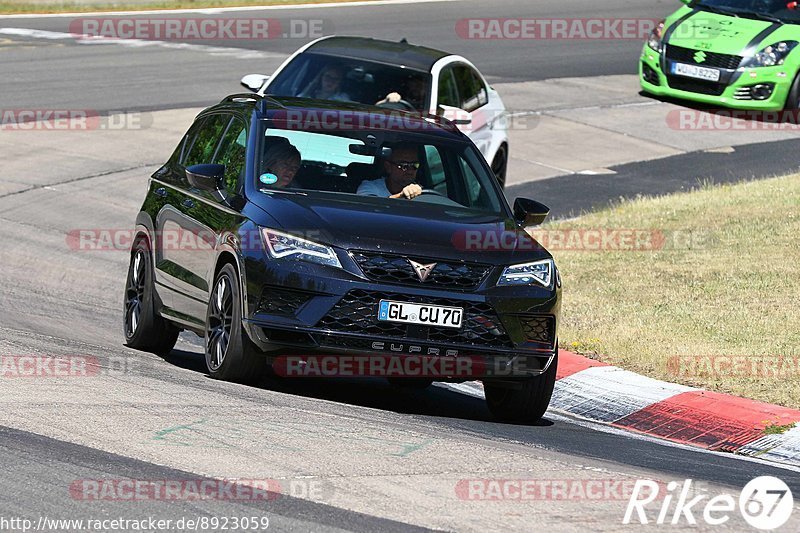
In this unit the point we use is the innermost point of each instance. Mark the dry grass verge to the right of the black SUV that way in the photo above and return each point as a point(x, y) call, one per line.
point(717, 306)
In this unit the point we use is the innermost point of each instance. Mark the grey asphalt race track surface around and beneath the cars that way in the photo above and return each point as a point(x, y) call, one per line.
point(346, 455)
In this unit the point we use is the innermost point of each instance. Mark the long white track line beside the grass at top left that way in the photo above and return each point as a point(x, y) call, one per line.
point(215, 10)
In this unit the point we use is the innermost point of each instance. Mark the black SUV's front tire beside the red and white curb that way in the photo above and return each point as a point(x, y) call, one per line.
point(526, 405)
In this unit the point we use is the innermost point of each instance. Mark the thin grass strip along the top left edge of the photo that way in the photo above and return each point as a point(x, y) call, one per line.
point(25, 6)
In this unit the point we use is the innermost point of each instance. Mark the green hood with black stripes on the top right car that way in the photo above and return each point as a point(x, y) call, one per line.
point(703, 30)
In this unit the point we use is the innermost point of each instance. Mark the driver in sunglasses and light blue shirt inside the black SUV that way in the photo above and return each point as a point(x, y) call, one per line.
point(400, 172)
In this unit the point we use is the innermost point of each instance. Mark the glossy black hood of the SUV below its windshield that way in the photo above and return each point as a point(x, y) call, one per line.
point(398, 227)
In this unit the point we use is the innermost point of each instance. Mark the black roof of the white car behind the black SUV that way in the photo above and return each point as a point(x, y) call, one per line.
point(388, 52)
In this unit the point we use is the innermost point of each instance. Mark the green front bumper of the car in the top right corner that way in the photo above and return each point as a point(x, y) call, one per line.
point(733, 91)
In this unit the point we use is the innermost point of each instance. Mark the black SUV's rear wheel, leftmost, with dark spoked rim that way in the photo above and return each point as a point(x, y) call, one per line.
point(143, 327)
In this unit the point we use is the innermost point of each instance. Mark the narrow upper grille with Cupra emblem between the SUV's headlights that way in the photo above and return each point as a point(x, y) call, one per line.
point(389, 268)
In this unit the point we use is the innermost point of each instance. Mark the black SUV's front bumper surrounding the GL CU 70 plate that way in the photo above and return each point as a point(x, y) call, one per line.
point(309, 310)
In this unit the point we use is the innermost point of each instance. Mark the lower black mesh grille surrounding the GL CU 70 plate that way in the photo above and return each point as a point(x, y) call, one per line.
point(357, 312)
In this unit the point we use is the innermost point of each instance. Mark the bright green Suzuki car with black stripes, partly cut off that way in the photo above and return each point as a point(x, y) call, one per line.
point(732, 53)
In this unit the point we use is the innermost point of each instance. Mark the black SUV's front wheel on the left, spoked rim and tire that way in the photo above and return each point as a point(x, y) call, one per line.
point(230, 354)
